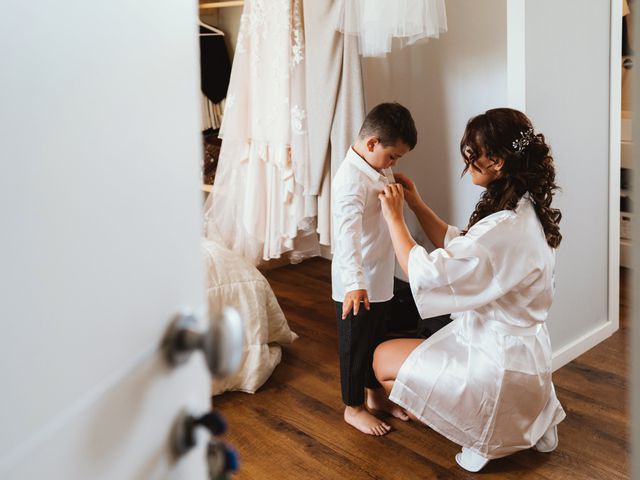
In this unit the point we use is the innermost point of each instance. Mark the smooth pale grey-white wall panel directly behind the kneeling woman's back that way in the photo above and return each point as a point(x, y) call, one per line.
point(567, 96)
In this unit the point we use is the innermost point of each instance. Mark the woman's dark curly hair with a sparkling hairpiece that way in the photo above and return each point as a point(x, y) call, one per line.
point(526, 169)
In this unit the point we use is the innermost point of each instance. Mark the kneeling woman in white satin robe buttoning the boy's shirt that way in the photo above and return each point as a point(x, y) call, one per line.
point(484, 380)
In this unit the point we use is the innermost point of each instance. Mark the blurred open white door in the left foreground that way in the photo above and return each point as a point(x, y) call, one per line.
point(99, 243)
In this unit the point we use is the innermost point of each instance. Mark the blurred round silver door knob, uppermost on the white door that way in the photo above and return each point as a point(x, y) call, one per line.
point(222, 343)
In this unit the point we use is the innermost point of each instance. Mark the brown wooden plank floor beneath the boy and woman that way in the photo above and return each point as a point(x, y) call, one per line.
point(292, 428)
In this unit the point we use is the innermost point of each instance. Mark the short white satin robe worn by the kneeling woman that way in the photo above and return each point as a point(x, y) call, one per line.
point(484, 380)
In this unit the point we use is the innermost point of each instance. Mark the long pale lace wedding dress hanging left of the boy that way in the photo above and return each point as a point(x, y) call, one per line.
point(259, 206)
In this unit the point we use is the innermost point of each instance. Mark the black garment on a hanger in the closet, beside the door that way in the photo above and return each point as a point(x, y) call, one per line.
point(215, 66)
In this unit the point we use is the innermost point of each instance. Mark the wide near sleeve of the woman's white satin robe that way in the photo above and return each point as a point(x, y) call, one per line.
point(472, 271)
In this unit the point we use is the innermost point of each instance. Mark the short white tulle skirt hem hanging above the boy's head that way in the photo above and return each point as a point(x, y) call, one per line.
point(377, 22)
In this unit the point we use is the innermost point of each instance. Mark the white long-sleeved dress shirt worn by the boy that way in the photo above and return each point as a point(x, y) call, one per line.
point(363, 256)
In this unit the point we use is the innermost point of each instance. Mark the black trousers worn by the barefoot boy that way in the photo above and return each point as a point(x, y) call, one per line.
point(358, 337)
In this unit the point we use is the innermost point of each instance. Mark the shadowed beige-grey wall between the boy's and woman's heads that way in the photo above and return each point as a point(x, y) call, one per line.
point(444, 82)
